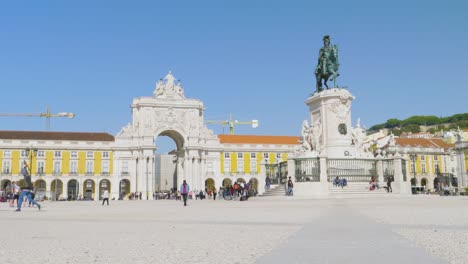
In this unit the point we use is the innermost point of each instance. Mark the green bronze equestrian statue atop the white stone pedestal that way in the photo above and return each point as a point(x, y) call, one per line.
point(327, 65)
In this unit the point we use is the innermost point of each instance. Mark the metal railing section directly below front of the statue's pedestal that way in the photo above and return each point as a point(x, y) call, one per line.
point(353, 170)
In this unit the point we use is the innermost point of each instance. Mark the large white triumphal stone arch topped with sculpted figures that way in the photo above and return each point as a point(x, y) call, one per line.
point(166, 113)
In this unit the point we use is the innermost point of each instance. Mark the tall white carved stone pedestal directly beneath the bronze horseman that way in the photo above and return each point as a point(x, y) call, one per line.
point(332, 109)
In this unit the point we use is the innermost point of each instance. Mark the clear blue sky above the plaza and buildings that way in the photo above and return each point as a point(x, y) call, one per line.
point(254, 59)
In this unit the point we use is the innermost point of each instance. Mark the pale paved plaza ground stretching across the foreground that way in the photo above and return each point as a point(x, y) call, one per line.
point(387, 229)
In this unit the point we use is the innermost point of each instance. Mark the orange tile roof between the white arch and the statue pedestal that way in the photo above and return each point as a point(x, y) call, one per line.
point(254, 139)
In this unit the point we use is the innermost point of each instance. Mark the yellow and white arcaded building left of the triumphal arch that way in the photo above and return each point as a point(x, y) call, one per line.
point(63, 165)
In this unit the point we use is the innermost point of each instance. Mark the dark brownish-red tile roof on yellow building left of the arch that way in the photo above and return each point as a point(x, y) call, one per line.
point(40, 135)
